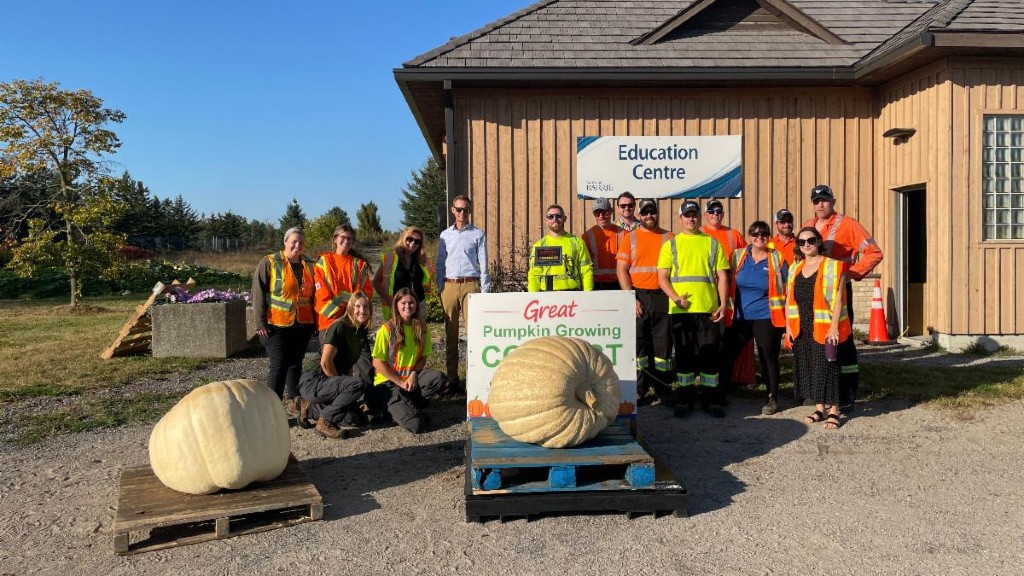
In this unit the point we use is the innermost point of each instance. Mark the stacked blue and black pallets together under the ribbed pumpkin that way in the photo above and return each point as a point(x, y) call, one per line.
point(612, 473)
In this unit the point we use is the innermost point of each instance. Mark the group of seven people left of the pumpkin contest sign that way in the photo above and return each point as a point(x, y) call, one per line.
point(359, 383)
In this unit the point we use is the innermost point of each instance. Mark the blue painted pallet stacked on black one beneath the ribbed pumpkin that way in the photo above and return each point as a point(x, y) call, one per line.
point(613, 461)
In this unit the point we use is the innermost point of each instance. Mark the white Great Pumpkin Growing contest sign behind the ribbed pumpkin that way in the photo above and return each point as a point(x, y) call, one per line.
point(500, 323)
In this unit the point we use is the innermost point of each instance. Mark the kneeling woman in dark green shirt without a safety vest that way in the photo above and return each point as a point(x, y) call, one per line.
point(331, 395)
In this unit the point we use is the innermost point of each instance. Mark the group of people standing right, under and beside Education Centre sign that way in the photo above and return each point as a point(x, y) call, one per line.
point(703, 295)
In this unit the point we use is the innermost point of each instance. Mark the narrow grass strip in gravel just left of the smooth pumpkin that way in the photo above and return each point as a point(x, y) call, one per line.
point(106, 414)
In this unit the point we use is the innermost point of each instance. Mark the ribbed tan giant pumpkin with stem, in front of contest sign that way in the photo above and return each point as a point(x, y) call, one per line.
point(556, 392)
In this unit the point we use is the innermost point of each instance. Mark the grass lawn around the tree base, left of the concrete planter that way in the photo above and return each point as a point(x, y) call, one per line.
point(46, 351)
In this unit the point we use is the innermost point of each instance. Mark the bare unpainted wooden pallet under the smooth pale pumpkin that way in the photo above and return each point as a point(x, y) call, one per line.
point(174, 519)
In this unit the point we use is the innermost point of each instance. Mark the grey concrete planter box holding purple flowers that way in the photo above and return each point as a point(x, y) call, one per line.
point(207, 331)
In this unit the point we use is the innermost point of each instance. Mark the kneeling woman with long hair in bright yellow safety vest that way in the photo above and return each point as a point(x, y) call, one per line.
point(401, 352)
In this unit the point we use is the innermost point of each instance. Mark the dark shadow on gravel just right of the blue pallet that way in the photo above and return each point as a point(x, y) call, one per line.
point(699, 448)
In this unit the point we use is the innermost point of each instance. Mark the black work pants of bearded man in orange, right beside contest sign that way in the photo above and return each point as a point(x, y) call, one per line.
point(655, 345)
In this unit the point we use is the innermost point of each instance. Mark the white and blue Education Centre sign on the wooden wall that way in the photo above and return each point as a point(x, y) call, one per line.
point(660, 167)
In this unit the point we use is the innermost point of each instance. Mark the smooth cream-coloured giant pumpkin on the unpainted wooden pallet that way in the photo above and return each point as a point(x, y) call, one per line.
point(223, 435)
